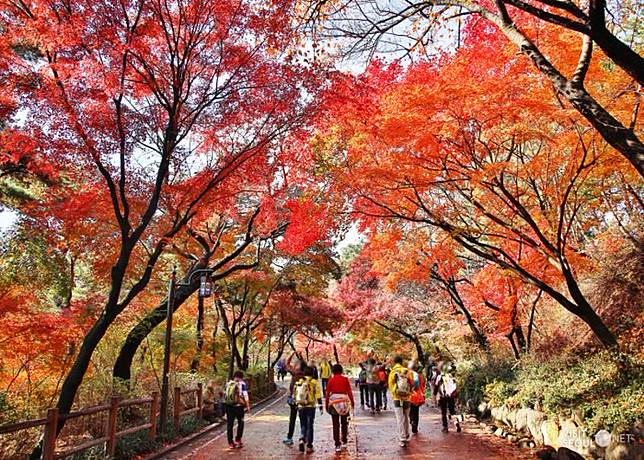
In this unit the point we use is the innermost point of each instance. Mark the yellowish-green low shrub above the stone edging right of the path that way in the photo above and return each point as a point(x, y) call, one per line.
point(607, 390)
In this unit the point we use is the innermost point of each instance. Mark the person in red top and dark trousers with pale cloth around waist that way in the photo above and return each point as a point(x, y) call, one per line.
point(338, 403)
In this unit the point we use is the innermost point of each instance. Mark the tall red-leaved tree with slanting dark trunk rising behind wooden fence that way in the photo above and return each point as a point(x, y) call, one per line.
point(154, 105)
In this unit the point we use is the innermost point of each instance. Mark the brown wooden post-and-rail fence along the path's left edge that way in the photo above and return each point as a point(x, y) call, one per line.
point(111, 417)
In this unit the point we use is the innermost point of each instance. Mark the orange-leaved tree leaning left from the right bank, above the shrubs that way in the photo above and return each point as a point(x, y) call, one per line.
point(507, 184)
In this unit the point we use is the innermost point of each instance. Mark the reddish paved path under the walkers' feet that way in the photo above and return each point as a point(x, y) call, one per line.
point(370, 437)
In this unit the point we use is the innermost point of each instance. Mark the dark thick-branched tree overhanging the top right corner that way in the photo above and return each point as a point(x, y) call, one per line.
point(421, 26)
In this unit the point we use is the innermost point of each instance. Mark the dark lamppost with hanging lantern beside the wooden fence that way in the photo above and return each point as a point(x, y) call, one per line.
point(205, 290)
